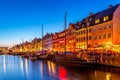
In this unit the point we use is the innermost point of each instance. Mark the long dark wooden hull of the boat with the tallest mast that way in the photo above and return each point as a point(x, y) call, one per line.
point(78, 62)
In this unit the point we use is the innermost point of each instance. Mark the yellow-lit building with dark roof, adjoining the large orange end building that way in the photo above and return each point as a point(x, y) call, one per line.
point(84, 33)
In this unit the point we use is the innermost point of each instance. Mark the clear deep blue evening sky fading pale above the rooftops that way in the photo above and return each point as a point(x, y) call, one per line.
point(22, 19)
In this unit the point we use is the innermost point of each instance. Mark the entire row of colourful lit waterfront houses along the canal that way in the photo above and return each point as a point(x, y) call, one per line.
point(97, 31)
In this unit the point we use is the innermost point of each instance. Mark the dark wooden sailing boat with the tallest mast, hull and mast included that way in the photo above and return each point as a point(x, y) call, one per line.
point(72, 59)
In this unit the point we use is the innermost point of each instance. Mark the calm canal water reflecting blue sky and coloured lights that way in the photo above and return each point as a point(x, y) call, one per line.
point(17, 68)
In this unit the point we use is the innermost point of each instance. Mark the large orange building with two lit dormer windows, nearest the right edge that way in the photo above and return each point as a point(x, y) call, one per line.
point(106, 28)
